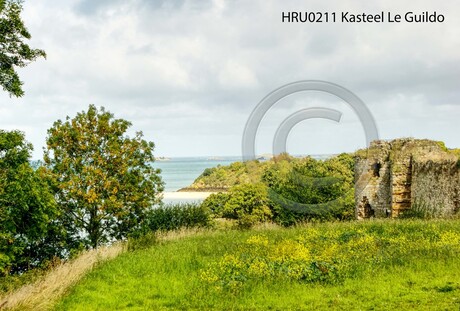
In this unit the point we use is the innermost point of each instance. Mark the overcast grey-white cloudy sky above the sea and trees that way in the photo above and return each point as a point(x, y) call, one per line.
point(189, 73)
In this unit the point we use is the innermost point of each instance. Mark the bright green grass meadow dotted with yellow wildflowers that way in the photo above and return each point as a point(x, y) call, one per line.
point(379, 265)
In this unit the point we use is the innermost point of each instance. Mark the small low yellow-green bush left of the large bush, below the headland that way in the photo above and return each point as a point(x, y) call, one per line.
point(247, 203)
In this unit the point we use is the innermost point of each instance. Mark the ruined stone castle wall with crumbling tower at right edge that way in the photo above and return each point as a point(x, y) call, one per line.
point(395, 176)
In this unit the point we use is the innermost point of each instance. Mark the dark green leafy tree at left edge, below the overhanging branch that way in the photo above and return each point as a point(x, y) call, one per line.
point(29, 234)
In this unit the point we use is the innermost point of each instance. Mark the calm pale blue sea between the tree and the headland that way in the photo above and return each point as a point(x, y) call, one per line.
point(178, 173)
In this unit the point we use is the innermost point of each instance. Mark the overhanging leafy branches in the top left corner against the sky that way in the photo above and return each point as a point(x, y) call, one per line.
point(13, 51)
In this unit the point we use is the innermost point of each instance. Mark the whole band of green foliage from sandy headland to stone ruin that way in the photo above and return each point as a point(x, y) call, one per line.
point(298, 190)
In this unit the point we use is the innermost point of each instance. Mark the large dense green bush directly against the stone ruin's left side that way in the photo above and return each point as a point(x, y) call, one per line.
point(305, 189)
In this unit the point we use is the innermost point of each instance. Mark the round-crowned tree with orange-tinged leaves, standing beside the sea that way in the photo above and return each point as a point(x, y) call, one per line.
point(104, 180)
